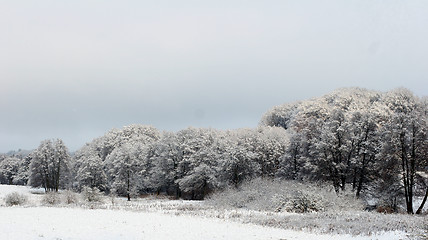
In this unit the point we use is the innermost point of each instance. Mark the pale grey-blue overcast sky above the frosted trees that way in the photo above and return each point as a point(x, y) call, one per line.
point(76, 69)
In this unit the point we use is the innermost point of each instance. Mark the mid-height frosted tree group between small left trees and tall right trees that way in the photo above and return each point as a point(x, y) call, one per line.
point(189, 163)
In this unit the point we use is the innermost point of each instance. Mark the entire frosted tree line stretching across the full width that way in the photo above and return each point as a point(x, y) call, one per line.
point(376, 143)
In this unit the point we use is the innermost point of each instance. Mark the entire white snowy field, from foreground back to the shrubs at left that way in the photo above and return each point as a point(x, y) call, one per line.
point(142, 219)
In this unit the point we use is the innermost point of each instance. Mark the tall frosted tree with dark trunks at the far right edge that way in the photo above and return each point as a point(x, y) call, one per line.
point(405, 140)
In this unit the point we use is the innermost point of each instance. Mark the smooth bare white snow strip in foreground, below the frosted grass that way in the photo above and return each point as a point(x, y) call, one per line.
point(72, 223)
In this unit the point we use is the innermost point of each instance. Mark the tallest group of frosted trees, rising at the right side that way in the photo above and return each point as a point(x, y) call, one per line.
point(375, 142)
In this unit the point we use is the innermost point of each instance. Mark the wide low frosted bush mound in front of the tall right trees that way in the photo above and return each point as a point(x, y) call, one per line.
point(289, 196)
